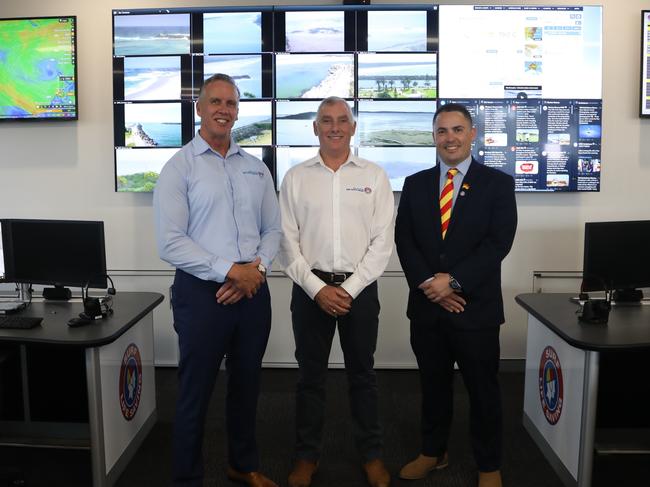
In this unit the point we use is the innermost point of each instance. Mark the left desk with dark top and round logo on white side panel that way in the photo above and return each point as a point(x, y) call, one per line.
point(111, 405)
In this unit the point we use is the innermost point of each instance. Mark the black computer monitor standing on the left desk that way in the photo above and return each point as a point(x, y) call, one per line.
point(54, 252)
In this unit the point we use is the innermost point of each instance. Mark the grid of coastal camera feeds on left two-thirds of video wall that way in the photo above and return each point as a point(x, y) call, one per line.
point(284, 60)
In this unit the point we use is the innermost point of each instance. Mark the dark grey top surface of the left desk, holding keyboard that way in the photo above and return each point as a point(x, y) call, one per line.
point(128, 308)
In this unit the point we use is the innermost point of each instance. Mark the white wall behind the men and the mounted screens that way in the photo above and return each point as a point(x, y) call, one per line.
point(65, 170)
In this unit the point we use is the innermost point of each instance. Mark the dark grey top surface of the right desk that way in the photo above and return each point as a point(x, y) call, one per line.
point(628, 326)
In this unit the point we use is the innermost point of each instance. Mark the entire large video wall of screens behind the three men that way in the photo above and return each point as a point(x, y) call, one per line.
point(393, 64)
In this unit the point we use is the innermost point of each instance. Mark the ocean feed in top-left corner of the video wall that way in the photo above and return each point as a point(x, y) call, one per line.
point(151, 34)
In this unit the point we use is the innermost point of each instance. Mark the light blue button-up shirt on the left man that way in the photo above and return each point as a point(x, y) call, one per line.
point(211, 211)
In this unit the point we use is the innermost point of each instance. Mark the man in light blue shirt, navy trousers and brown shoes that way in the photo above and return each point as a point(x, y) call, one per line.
point(218, 223)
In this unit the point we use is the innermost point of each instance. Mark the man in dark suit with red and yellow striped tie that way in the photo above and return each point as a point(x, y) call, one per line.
point(455, 224)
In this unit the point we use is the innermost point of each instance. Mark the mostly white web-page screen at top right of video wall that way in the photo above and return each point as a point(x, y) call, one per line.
point(556, 50)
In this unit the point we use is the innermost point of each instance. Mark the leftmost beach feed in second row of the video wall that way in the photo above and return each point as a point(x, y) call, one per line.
point(152, 78)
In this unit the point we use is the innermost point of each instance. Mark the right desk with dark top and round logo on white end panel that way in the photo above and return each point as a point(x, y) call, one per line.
point(563, 359)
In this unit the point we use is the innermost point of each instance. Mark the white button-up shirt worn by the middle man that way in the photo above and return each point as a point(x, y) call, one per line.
point(337, 222)
